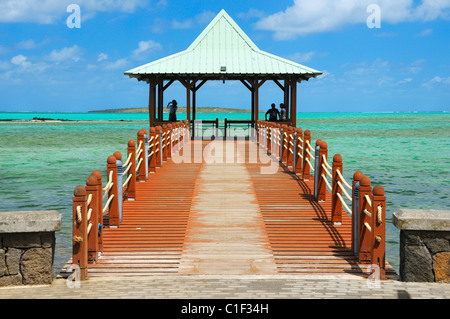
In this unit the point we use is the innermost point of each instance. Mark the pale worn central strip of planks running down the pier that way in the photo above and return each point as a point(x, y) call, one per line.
point(226, 231)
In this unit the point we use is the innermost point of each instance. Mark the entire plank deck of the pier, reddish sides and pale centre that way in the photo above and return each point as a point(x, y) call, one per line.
point(225, 217)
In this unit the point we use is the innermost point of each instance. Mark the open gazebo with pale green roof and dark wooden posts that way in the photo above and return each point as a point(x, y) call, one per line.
point(222, 52)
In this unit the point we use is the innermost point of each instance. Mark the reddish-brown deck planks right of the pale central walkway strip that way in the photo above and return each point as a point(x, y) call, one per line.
point(301, 235)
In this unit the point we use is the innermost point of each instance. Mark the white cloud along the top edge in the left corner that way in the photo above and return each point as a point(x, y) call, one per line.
point(50, 11)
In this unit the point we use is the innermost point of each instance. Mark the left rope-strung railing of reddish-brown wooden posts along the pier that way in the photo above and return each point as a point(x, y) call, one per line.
point(96, 207)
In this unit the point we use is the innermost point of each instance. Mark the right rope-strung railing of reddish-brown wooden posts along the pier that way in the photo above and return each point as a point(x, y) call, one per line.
point(366, 206)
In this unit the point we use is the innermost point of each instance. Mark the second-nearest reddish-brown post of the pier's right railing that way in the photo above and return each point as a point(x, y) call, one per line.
point(364, 234)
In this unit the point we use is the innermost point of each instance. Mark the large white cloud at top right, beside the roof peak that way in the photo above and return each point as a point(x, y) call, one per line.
point(305, 17)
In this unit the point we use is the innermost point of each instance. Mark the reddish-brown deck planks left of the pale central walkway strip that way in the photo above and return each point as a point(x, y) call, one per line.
point(150, 238)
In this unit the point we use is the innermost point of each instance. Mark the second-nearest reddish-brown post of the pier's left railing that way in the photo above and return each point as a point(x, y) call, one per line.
point(92, 217)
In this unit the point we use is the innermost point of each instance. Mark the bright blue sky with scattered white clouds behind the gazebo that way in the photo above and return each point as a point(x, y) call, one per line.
point(404, 65)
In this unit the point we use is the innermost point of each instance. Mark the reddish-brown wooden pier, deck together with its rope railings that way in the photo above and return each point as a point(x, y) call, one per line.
point(221, 215)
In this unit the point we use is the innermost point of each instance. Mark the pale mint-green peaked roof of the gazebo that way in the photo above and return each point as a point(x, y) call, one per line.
point(222, 51)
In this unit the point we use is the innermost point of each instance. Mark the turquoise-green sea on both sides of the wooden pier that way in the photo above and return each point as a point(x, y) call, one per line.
point(42, 163)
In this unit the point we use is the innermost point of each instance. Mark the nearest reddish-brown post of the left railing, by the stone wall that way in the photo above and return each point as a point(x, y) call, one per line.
point(80, 240)
